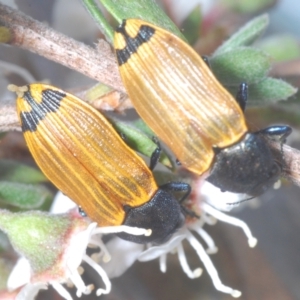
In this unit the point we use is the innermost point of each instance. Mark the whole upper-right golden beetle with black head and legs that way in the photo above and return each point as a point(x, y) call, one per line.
point(176, 94)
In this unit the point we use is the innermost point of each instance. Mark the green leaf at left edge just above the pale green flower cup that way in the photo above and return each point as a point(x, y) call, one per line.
point(26, 196)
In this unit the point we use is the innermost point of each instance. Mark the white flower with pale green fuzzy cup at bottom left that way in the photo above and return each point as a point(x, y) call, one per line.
point(75, 234)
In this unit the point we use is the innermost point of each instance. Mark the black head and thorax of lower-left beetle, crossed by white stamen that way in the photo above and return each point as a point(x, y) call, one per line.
point(162, 214)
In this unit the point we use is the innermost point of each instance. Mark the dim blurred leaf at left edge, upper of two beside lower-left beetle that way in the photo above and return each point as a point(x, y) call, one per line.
point(17, 172)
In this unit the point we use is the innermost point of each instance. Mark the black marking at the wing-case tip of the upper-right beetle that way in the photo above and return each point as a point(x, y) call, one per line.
point(132, 44)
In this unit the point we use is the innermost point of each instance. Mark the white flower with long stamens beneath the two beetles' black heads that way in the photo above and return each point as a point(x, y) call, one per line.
point(209, 215)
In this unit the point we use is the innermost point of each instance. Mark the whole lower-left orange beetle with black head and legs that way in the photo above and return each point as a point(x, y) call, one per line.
point(84, 157)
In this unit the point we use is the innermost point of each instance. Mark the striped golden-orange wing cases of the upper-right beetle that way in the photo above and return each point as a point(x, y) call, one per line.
point(176, 94)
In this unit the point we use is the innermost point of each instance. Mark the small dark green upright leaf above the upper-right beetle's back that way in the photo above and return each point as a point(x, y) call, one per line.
point(191, 25)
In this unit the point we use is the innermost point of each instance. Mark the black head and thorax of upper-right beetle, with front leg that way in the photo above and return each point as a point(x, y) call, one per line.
point(249, 166)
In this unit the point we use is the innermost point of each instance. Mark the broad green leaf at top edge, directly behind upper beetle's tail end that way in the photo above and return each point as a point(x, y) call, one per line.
point(147, 10)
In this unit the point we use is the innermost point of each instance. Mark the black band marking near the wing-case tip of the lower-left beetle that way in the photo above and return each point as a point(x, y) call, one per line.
point(50, 103)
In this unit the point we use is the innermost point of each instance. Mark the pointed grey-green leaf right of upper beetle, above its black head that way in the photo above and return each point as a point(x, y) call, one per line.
point(269, 91)
